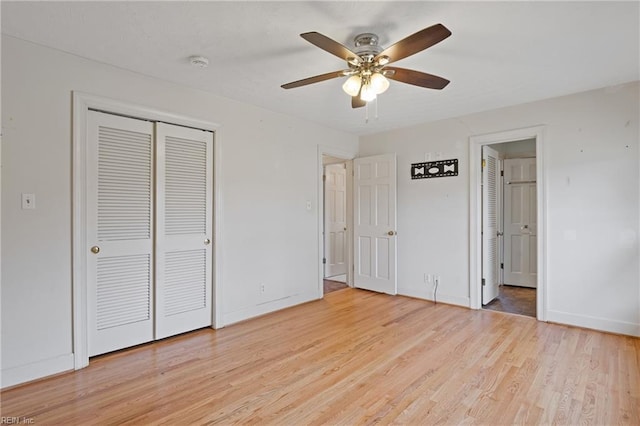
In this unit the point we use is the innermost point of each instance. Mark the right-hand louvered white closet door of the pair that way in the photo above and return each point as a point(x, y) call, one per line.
point(184, 229)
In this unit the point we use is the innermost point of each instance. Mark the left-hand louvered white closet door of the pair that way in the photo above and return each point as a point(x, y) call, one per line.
point(119, 232)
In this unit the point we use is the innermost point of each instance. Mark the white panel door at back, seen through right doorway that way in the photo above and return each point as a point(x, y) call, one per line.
point(520, 222)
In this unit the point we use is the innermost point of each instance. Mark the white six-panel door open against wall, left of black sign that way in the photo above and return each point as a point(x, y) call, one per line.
point(375, 254)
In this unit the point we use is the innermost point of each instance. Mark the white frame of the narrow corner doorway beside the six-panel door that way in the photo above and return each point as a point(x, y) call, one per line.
point(348, 157)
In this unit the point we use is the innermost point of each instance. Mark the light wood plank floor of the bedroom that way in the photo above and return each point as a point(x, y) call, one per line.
point(354, 358)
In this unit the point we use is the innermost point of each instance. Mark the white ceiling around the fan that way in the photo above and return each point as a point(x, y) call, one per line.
point(500, 53)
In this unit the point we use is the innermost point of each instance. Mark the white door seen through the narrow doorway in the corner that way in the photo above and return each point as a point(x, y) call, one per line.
point(335, 230)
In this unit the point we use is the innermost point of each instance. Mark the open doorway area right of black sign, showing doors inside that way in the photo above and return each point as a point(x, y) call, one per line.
point(509, 224)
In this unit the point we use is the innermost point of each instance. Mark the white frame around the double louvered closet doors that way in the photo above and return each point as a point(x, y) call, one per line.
point(82, 102)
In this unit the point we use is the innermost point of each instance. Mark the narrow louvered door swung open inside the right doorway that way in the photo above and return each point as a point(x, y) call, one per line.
point(490, 259)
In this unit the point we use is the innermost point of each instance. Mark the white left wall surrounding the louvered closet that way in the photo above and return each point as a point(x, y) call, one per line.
point(270, 170)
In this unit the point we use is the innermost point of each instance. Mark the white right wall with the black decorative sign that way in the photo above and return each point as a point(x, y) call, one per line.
point(591, 164)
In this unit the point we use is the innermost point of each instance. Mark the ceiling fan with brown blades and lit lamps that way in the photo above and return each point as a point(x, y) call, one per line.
point(368, 69)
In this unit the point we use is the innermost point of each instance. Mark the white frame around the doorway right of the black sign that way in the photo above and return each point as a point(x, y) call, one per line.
point(475, 219)
